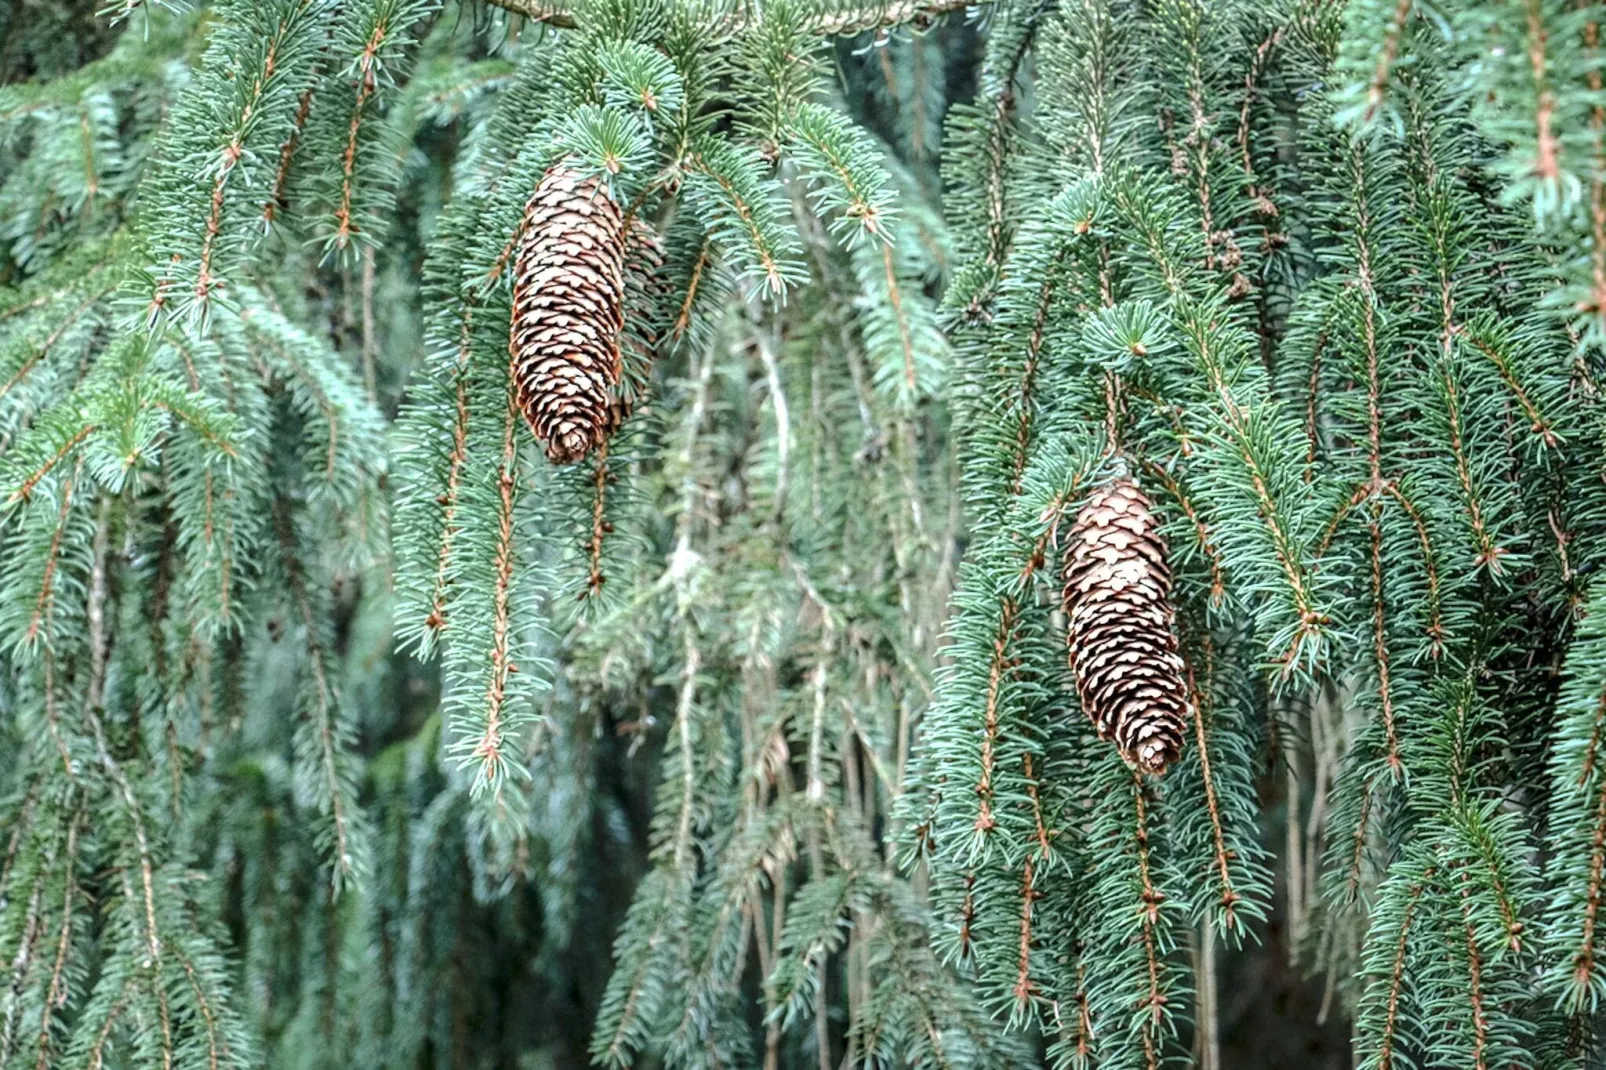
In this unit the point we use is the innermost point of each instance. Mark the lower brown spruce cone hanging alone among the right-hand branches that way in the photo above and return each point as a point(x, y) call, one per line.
point(1122, 634)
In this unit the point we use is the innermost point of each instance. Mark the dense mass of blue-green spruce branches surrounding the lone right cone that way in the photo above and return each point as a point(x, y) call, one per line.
point(1302, 312)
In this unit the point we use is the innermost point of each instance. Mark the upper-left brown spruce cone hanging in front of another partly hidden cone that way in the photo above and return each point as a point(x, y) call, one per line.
point(568, 311)
